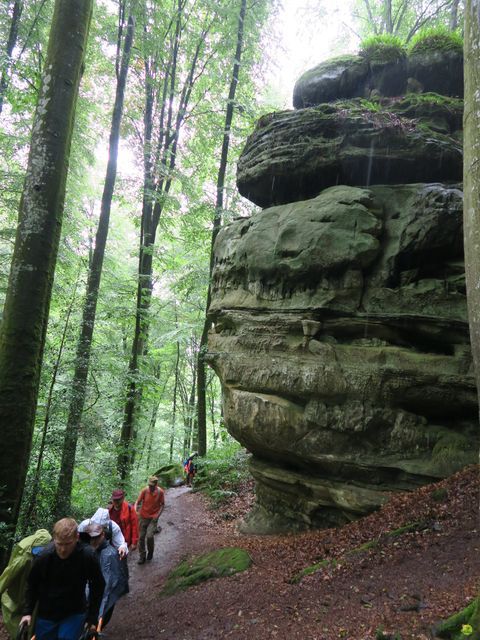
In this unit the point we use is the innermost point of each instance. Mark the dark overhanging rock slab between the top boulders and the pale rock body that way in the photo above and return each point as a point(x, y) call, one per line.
point(294, 155)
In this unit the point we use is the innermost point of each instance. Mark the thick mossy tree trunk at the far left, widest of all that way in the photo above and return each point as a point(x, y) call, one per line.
point(25, 316)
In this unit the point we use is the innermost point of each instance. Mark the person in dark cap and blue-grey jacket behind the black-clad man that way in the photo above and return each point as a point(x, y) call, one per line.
point(110, 563)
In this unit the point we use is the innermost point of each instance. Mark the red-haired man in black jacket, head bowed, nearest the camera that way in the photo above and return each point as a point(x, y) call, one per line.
point(57, 582)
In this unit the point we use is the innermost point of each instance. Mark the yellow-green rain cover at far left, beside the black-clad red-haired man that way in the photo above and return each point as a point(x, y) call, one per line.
point(13, 581)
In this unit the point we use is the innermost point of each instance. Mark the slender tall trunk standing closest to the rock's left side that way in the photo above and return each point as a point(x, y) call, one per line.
point(217, 221)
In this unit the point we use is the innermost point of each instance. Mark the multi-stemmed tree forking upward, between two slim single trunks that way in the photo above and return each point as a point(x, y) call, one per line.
point(170, 77)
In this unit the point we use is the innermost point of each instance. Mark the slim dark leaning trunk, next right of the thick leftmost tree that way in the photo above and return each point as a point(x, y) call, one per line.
point(82, 360)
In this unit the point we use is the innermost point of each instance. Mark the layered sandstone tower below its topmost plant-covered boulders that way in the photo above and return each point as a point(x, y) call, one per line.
point(340, 333)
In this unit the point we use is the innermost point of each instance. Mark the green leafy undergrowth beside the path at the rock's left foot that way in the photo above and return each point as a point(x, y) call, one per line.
point(221, 475)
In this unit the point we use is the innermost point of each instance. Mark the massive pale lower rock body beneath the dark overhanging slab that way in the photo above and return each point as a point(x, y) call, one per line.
point(341, 340)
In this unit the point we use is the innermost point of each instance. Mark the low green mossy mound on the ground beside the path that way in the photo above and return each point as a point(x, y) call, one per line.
point(216, 564)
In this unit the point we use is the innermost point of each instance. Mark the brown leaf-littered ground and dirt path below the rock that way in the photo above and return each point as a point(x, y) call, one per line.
point(401, 584)
